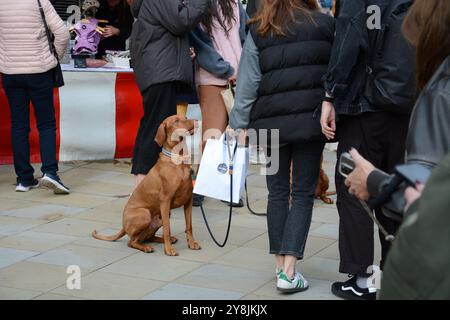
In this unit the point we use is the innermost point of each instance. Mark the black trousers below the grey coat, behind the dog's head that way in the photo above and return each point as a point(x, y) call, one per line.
point(159, 103)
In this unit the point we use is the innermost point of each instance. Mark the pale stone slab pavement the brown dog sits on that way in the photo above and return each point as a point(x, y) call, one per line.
point(41, 234)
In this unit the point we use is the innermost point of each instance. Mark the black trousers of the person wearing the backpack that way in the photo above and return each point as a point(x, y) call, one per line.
point(380, 137)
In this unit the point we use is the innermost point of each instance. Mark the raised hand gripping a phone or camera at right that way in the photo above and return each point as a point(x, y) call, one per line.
point(357, 180)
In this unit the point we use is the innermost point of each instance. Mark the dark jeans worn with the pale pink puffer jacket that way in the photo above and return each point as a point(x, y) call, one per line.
point(20, 90)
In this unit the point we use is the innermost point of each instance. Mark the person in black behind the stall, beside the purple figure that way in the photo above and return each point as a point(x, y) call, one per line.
point(119, 25)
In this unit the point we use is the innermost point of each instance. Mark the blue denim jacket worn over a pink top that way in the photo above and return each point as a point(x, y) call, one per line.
point(207, 56)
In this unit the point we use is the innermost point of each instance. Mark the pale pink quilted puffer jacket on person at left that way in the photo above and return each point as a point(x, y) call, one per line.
point(24, 46)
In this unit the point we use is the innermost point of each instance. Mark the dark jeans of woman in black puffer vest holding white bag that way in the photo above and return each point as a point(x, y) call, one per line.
point(288, 224)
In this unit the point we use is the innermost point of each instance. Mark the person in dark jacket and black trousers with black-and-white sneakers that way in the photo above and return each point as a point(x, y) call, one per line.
point(377, 131)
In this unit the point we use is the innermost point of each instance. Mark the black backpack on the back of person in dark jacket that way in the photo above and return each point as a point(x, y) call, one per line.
point(391, 64)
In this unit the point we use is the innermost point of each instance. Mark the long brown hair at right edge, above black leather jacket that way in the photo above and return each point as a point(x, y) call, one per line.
point(427, 26)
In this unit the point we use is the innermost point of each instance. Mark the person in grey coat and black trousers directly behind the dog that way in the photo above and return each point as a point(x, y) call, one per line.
point(161, 59)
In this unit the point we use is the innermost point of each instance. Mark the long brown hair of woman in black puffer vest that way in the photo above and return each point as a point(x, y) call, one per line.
point(276, 16)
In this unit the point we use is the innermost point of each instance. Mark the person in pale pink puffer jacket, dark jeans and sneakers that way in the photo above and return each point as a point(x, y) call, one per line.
point(26, 65)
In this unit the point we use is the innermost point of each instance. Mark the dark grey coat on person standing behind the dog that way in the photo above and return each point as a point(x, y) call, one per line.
point(160, 42)
